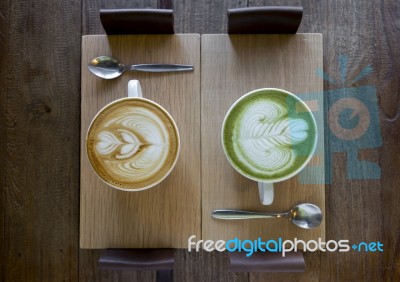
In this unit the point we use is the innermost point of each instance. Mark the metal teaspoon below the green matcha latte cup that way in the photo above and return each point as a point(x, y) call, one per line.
point(303, 215)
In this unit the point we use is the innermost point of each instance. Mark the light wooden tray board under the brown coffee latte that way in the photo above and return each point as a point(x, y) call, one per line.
point(152, 218)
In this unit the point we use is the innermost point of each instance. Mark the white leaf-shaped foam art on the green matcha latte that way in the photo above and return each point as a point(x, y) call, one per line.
point(264, 140)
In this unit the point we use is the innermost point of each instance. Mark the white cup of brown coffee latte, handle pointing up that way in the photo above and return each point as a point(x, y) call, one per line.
point(133, 143)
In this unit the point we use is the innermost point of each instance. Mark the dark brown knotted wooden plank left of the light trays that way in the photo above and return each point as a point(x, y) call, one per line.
point(40, 97)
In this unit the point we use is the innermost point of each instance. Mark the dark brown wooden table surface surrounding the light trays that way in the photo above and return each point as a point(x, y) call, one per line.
point(40, 49)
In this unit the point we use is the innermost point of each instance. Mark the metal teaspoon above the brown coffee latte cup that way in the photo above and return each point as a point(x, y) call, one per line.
point(108, 68)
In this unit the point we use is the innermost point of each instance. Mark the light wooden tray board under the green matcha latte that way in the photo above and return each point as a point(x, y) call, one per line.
point(231, 67)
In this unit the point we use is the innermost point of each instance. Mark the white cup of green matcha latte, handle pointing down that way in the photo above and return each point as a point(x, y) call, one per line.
point(269, 135)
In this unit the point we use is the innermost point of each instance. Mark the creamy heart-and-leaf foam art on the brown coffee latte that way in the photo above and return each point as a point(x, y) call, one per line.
point(136, 143)
